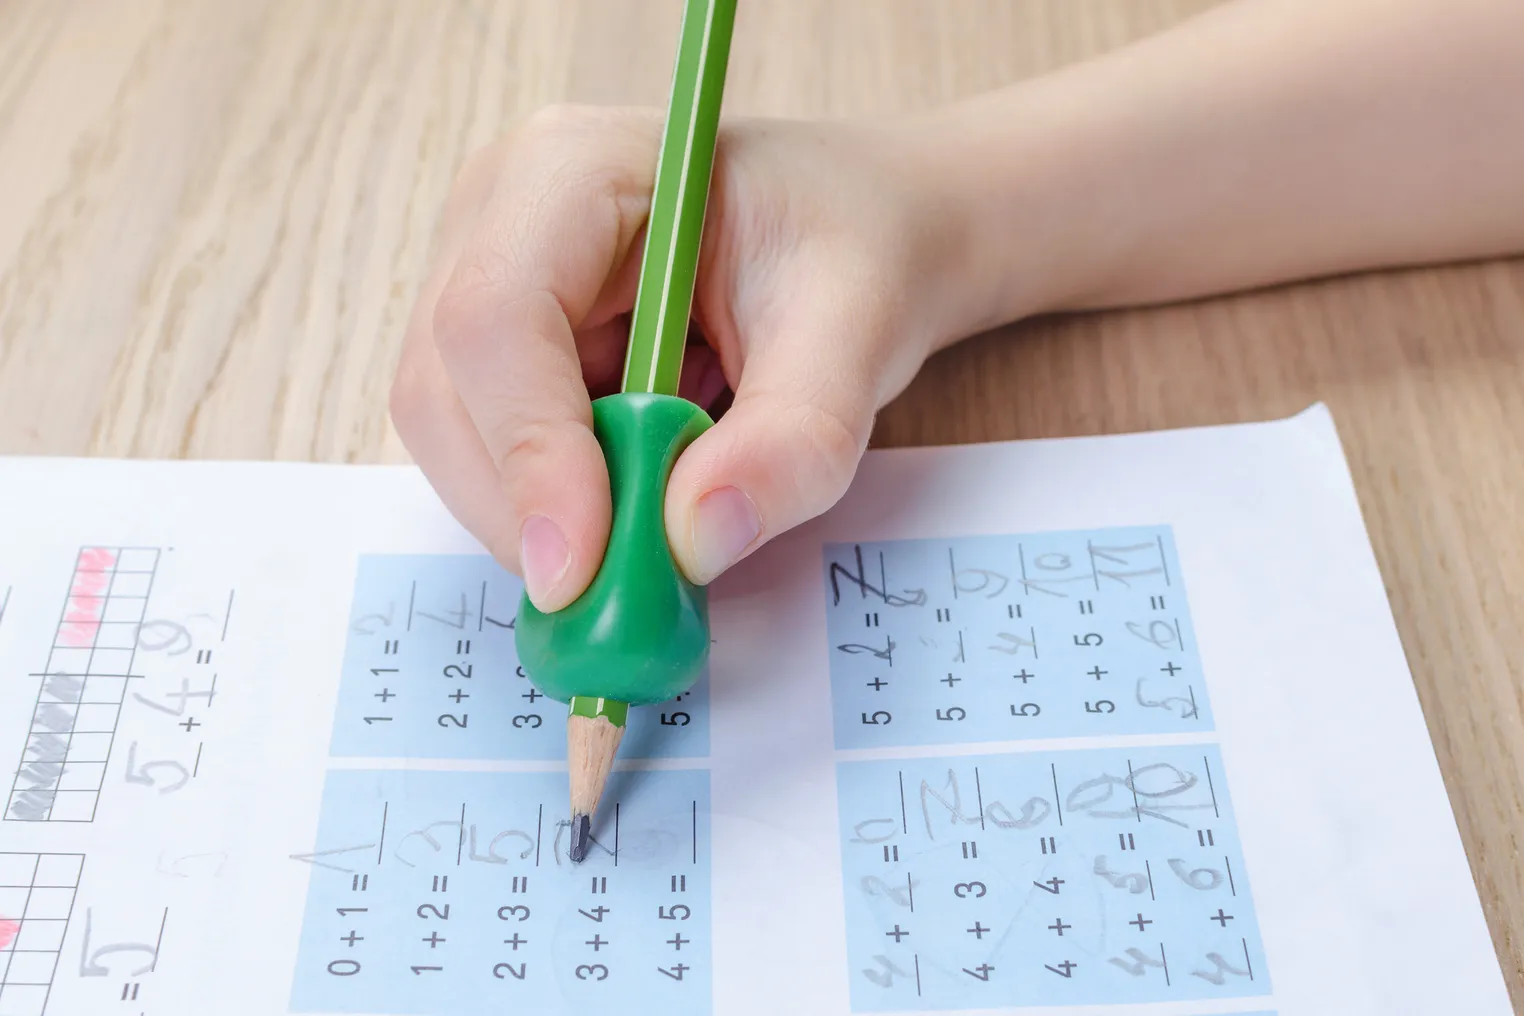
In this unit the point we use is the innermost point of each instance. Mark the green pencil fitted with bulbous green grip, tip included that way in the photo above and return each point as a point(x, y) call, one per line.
point(641, 633)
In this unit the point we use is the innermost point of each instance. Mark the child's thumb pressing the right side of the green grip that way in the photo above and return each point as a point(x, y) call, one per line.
point(783, 455)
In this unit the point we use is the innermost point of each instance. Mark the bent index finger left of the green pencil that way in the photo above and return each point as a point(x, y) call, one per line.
point(545, 251)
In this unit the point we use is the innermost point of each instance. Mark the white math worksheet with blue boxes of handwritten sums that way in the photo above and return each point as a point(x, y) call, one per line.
point(1089, 727)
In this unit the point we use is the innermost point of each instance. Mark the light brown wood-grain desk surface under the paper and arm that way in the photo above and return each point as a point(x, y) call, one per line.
point(214, 216)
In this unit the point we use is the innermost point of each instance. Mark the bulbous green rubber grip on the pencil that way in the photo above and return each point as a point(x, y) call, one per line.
point(641, 631)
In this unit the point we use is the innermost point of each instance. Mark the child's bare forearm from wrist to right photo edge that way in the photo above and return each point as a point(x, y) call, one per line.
point(1263, 142)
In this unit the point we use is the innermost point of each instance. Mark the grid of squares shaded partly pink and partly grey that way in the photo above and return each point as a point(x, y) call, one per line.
point(83, 686)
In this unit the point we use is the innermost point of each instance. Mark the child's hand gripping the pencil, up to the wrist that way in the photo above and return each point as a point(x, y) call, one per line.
point(825, 281)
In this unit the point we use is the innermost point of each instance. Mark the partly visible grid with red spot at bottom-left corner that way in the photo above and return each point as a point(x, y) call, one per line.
point(37, 898)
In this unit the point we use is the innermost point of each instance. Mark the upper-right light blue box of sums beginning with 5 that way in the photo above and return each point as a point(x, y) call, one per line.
point(1011, 639)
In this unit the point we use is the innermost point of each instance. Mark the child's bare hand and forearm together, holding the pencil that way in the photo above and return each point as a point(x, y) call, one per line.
point(1263, 142)
